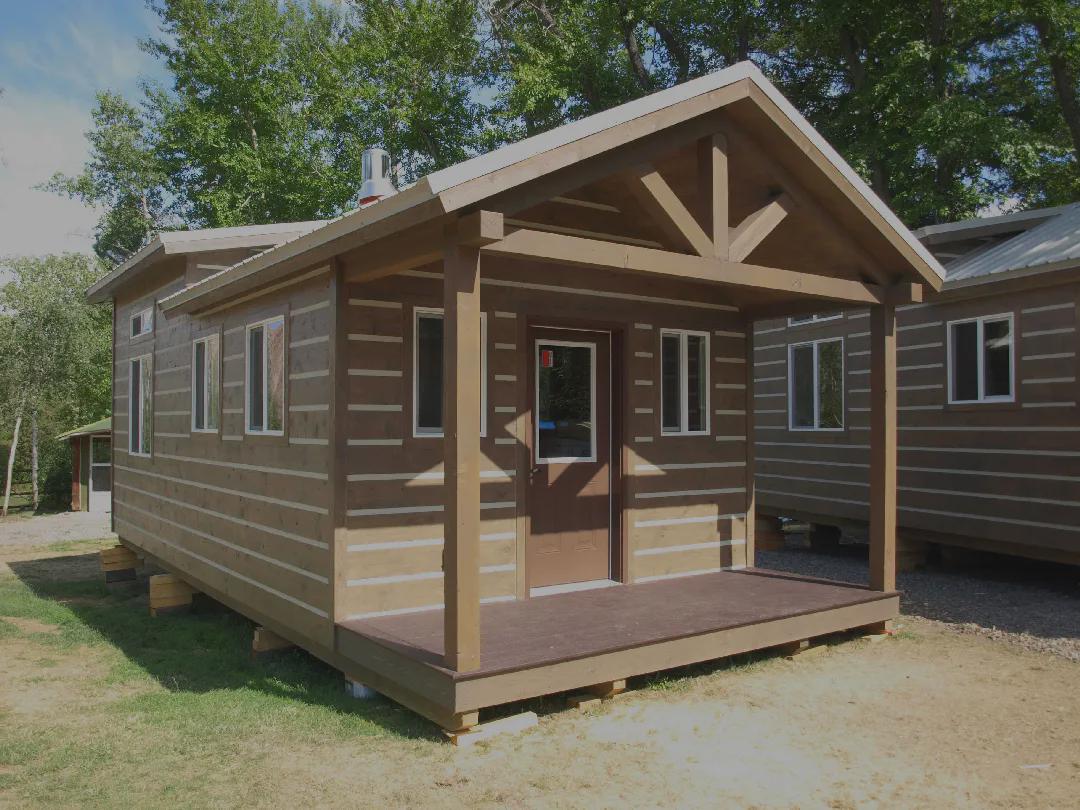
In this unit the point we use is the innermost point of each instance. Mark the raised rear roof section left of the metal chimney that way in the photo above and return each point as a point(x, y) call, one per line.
point(173, 244)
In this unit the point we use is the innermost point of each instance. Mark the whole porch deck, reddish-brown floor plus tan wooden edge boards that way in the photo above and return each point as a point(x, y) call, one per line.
point(558, 643)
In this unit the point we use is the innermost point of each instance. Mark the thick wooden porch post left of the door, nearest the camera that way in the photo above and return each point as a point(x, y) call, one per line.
point(462, 386)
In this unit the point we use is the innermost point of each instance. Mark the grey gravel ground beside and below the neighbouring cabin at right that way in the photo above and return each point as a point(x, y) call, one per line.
point(1031, 604)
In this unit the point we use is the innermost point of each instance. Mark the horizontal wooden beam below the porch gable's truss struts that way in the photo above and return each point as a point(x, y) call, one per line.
point(576, 252)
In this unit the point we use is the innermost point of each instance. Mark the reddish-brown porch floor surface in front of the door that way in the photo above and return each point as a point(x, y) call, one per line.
point(519, 636)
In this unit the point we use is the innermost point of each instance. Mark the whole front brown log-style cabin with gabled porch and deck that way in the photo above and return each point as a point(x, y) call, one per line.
point(488, 438)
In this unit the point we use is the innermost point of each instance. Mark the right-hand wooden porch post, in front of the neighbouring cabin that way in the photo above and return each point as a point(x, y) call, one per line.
point(883, 472)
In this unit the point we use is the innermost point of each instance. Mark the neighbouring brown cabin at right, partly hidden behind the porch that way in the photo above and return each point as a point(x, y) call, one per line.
point(990, 424)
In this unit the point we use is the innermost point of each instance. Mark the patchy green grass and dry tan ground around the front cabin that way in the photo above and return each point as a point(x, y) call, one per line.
point(102, 706)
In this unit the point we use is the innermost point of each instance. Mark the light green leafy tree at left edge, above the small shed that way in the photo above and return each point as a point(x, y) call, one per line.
point(58, 355)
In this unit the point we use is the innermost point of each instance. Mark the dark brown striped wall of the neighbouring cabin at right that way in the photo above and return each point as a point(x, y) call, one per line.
point(1001, 476)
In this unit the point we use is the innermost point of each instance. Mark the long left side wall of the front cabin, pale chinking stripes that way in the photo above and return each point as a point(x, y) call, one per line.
point(247, 516)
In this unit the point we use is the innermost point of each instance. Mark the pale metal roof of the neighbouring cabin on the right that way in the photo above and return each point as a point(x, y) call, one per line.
point(1052, 244)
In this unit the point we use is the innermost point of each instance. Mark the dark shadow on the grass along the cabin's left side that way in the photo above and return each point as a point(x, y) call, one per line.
point(204, 652)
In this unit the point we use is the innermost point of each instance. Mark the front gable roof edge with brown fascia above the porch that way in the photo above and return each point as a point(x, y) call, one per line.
point(481, 181)
